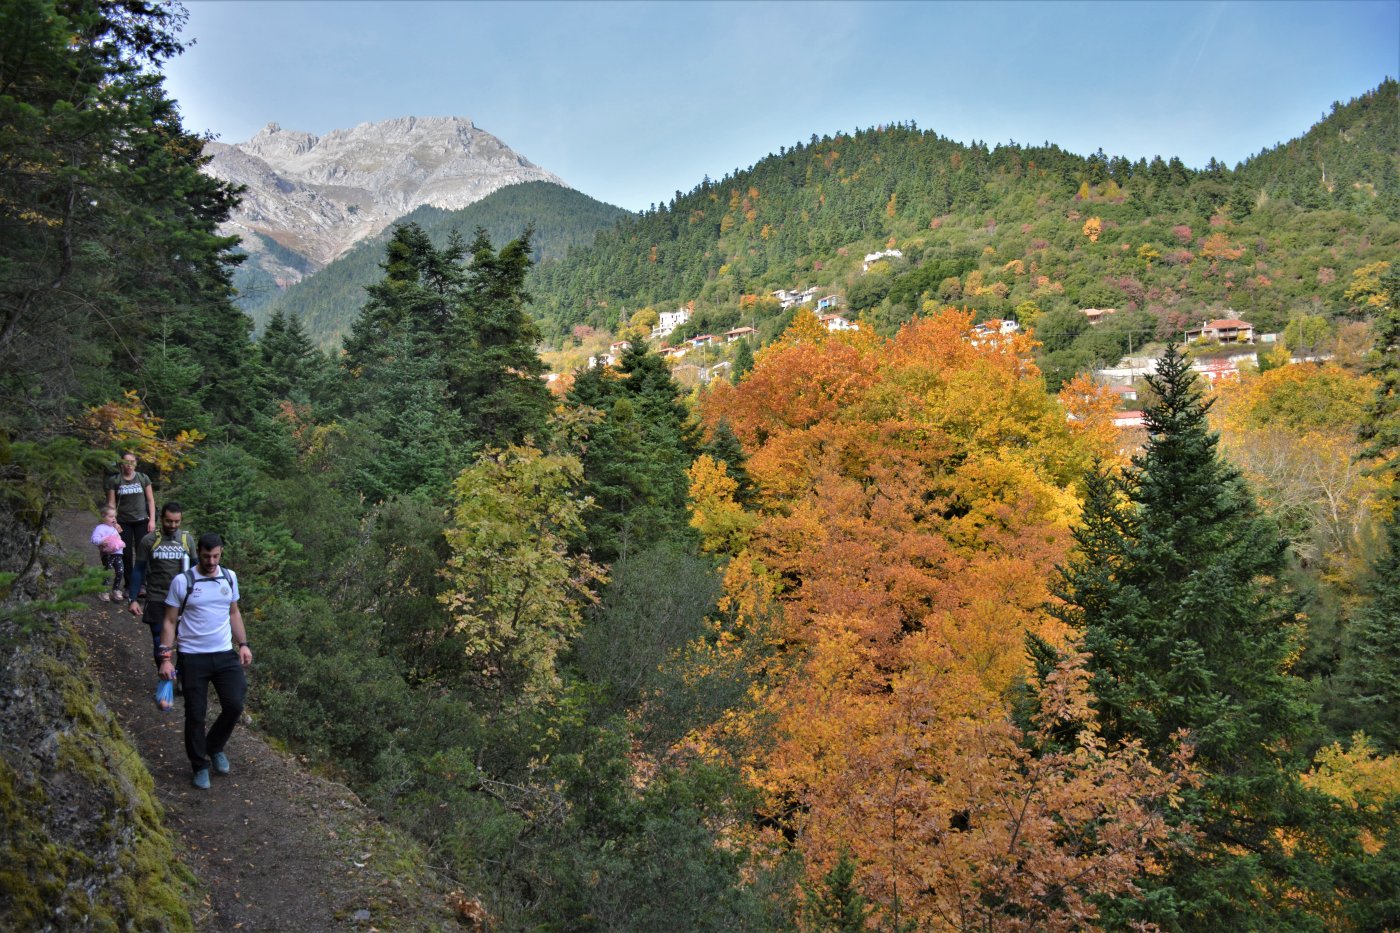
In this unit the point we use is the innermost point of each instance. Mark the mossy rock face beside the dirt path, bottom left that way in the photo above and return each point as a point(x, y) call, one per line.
point(82, 843)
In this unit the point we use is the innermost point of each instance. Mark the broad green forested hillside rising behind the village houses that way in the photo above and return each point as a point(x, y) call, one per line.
point(1030, 233)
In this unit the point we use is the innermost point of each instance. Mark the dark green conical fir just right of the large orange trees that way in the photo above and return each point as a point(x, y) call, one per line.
point(1175, 590)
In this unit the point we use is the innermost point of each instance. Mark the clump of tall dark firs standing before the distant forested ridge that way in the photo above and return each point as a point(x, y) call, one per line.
point(442, 362)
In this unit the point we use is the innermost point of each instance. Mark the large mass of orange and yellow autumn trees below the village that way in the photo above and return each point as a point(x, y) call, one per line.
point(915, 497)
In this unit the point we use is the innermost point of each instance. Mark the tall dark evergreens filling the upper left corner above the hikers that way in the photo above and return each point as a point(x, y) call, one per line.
point(113, 265)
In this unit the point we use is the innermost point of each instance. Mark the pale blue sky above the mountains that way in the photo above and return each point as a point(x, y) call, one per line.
point(633, 102)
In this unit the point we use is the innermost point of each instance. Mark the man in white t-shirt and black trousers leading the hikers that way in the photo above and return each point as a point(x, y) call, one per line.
point(204, 623)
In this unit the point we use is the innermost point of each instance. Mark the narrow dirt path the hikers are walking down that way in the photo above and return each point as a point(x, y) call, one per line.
point(274, 847)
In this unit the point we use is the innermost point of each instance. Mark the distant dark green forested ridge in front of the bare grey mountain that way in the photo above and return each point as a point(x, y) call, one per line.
point(328, 302)
